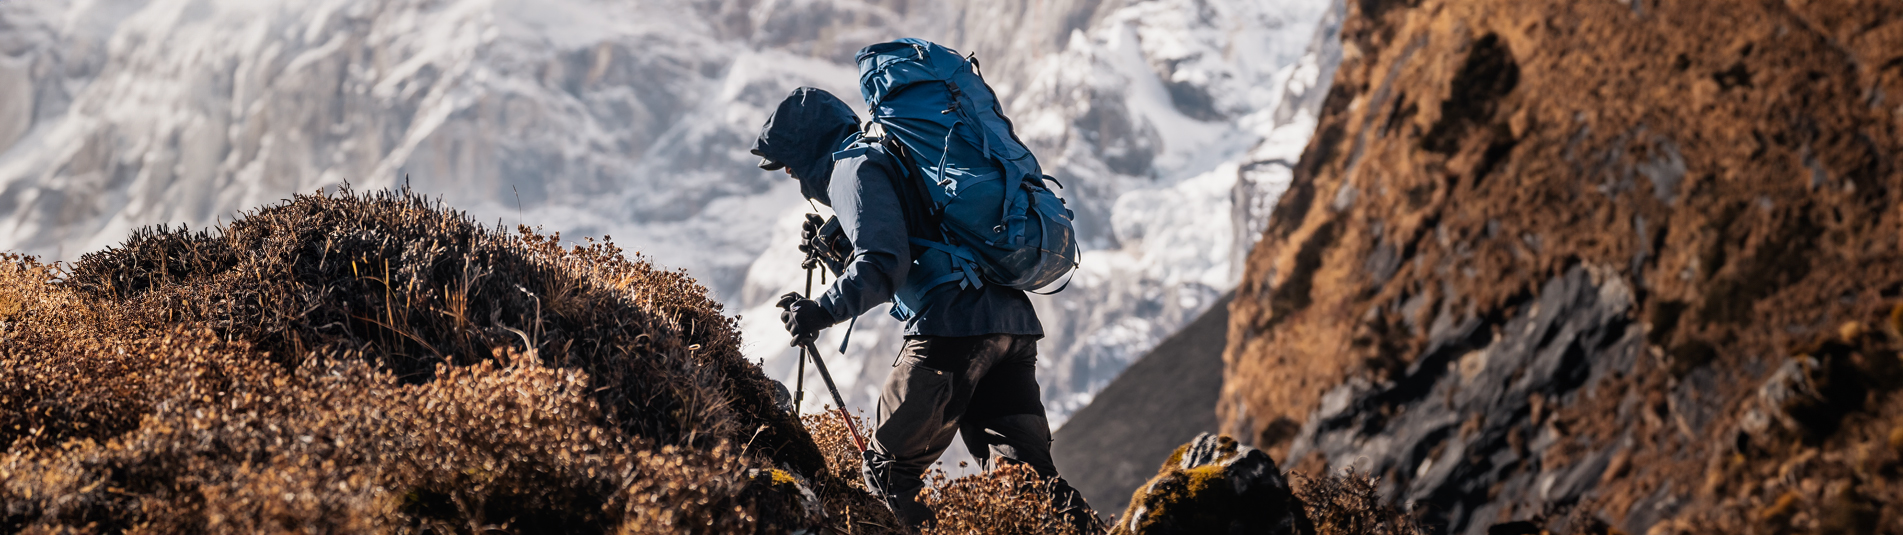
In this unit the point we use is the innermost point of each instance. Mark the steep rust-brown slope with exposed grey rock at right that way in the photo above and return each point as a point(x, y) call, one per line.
point(1615, 266)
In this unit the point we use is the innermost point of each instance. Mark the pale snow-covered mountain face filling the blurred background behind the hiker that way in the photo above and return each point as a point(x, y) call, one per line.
point(1171, 125)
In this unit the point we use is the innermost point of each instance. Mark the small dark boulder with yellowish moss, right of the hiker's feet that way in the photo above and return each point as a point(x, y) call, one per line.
point(1215, 485)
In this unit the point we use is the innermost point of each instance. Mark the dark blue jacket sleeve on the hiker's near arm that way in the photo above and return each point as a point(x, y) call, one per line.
point(882, 254)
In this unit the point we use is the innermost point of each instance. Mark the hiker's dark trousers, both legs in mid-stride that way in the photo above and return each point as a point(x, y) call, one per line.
point(979, 387)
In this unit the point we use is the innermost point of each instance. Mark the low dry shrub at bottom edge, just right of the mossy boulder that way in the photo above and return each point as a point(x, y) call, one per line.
point(1346, 504)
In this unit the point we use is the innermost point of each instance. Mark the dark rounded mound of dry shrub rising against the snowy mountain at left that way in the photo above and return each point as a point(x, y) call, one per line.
point(412, 285)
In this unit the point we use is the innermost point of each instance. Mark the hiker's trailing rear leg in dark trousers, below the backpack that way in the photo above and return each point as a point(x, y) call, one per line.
point(1008, 422)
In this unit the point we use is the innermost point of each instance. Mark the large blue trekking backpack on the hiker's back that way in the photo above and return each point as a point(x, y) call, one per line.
point(1000, 220)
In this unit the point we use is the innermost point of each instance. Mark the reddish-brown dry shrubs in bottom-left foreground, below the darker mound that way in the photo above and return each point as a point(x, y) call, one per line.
point(245, 446)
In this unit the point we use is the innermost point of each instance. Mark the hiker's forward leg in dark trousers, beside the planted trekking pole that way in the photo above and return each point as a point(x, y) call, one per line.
point(920, 410)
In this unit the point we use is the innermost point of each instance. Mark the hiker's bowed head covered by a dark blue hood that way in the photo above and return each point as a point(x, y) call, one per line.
point(800, 138)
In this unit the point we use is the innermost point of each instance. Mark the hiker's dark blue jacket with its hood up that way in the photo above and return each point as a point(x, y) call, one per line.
point(804, 134)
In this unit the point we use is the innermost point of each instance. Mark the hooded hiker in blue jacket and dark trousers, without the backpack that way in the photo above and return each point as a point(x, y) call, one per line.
point(971, 349)
